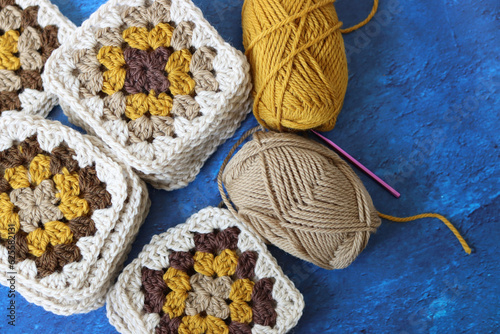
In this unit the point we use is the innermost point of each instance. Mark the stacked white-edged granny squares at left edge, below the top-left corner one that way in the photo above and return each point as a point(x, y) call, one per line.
point(68, 214)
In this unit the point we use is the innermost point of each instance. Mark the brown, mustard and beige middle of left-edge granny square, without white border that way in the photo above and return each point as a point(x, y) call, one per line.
point(48, 201)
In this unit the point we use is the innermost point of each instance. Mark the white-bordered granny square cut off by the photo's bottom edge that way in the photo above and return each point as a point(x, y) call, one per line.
point(209, 275)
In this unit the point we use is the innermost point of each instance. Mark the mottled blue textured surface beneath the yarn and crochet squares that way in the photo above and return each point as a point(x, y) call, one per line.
point(422, 111)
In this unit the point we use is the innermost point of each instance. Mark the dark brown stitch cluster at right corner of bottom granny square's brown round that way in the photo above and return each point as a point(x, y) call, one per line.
point(263, 303)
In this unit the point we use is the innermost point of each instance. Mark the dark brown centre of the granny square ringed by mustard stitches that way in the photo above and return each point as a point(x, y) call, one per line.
point(146, 70)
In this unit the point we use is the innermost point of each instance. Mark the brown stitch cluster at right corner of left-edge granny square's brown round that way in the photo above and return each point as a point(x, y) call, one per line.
point(92, 189)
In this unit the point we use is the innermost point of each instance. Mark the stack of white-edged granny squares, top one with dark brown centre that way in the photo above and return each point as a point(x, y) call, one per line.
point(156, 82)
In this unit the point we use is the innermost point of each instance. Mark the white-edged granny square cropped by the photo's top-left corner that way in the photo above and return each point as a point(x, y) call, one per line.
point(30, 30)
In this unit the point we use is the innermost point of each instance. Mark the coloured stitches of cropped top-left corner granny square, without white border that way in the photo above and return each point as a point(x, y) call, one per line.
point(24, 49)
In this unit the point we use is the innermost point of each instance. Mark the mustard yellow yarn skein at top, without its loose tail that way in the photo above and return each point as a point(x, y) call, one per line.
point(298, 61)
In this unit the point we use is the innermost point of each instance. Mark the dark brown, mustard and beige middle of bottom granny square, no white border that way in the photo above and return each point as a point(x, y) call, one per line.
point(210, 289)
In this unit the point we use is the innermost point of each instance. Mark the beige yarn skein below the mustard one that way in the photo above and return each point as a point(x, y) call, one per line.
point(302, 197)
